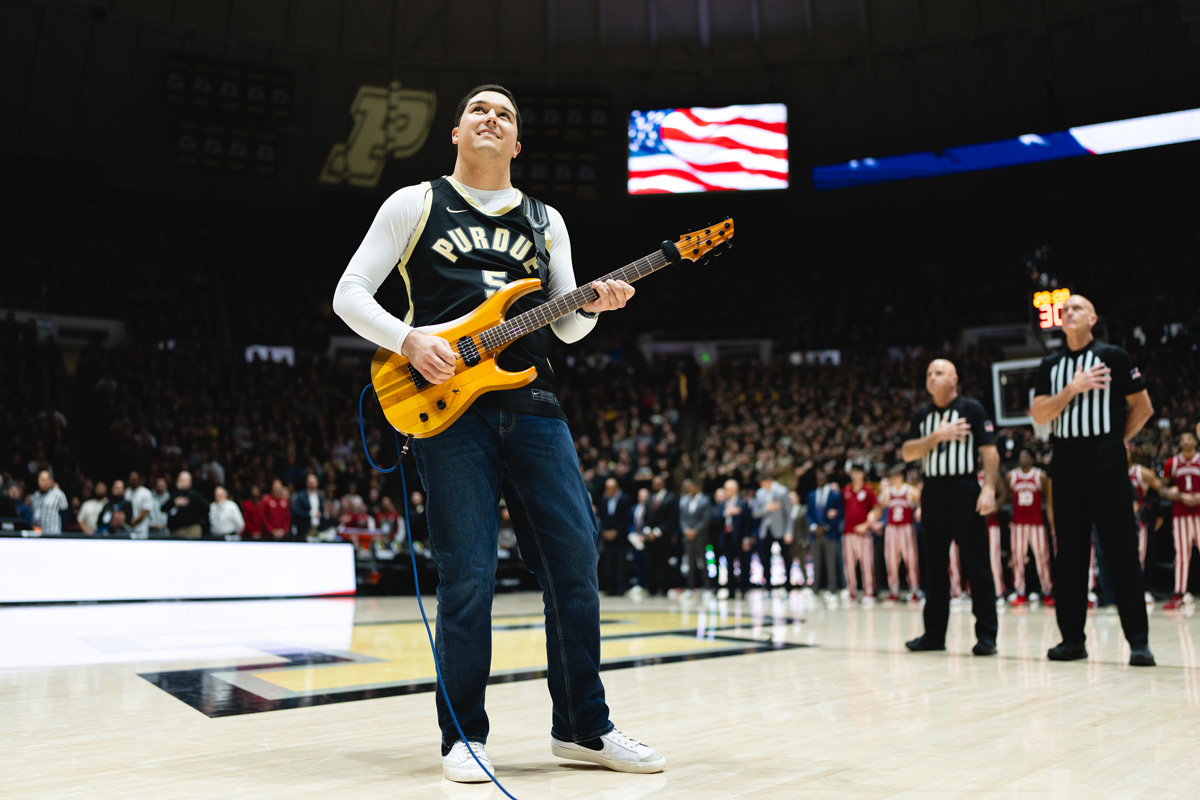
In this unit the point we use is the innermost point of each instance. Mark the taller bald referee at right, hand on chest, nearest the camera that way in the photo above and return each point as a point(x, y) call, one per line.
point(1095, 400)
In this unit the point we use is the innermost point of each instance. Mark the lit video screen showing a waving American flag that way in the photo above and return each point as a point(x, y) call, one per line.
point(725, 149)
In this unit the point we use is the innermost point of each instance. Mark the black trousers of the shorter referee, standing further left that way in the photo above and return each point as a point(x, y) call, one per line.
point(949, 514)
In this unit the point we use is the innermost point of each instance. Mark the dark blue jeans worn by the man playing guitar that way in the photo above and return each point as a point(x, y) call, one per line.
point(532, 460)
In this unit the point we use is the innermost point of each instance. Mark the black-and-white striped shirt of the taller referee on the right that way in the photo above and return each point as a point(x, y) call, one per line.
point(1099, 414)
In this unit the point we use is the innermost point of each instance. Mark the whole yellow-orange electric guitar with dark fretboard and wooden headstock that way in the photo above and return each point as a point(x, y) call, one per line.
point(418, 408)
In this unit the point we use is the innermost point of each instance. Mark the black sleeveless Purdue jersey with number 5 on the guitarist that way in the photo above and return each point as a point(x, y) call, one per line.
point(459, 256)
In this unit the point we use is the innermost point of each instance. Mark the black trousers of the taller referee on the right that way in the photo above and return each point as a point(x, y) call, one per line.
point(1091, 488)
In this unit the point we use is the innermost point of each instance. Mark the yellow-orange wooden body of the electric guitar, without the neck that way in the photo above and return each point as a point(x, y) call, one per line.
point(429, 411)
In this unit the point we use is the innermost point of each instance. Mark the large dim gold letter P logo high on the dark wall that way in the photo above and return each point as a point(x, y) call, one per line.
point(389, 123)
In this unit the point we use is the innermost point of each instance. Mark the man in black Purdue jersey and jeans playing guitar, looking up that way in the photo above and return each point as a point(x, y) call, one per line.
point(455, 242)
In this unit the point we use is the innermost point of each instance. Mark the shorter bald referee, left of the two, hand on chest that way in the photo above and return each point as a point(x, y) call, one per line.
point(946, 435)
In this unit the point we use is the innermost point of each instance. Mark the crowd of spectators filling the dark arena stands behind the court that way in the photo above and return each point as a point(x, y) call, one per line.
point(255, 436)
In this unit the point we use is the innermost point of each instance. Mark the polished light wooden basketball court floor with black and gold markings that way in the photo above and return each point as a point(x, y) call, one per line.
point(769, 697)
